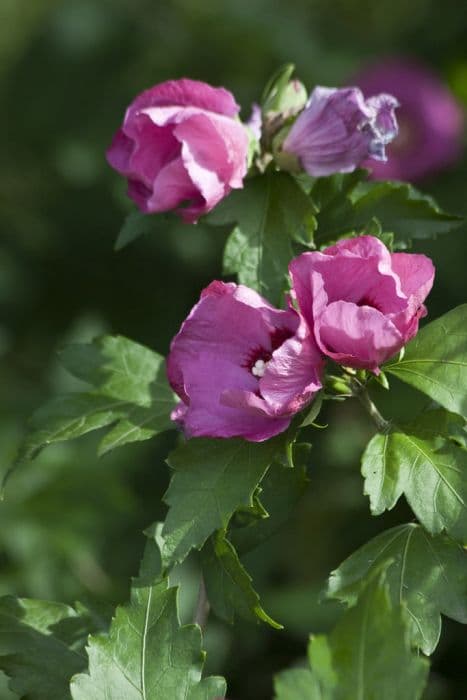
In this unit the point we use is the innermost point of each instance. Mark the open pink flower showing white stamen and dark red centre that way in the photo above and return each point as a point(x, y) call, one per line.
point(240, 366)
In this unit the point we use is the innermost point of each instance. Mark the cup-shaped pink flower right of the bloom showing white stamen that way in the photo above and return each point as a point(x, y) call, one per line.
point(362, 302)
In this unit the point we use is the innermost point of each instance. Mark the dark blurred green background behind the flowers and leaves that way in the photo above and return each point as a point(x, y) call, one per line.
point(70, 525)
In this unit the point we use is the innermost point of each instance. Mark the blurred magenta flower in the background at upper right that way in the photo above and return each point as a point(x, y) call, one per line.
point(430, 120)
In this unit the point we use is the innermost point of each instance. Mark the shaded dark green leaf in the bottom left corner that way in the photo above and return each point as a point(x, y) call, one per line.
point(42, 646)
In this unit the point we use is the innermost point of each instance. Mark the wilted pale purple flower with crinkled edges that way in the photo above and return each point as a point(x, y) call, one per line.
point(338, 129)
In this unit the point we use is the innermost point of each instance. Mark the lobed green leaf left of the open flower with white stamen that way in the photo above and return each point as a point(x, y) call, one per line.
point(130, 392)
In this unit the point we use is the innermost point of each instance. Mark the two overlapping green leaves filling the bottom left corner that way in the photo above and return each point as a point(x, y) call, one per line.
point(144, 654)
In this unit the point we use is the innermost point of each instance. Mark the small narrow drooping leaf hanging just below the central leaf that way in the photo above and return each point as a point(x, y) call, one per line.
point(228, 584)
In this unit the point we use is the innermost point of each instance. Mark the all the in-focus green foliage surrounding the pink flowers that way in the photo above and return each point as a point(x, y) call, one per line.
point(227, 496)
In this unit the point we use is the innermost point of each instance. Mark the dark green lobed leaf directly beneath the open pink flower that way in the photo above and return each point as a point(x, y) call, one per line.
point(212, 479)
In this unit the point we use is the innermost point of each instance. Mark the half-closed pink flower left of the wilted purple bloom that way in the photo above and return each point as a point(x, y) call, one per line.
point(181, 147)
